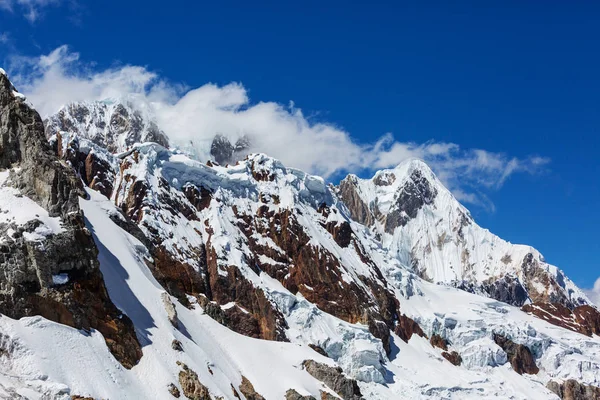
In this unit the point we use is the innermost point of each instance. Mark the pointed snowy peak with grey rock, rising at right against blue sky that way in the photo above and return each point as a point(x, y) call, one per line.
point(424, 226)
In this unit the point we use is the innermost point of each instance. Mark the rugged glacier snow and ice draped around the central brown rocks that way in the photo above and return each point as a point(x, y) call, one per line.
point(468, 322)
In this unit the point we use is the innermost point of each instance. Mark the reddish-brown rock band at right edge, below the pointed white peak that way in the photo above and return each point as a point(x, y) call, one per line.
point(582, 319)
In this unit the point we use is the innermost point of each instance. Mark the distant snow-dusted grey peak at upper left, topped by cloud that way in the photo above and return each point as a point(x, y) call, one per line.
point(114, 126)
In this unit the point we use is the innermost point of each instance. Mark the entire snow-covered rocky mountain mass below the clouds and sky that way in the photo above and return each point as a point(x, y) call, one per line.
point(252, 280)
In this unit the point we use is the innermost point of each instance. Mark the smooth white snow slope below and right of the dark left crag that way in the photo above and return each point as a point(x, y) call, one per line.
point(49, 359)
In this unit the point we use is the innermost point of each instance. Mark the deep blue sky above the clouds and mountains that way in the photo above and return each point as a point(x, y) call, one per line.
point(516, 79)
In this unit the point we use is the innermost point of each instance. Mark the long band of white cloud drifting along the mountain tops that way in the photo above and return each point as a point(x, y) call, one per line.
point(193, 117)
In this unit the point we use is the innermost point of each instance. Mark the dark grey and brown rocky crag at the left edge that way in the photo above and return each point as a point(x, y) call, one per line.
point(55, 275)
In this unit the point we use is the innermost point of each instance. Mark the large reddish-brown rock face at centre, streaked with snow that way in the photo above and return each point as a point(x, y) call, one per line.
point(315, 272)
